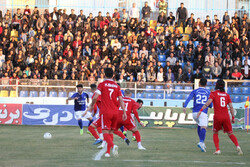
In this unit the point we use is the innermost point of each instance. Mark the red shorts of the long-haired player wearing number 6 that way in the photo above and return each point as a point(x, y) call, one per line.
point(222, 123)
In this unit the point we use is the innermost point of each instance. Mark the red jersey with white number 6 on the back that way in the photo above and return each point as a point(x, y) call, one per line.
point(220, 101)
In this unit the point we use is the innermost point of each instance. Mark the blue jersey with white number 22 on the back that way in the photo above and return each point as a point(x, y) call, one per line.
point(200, 96)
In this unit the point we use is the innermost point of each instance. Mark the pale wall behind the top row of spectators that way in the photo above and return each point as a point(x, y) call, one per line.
point(200, 8)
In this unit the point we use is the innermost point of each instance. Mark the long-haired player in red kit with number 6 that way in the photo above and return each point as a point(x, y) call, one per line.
point(222, 120)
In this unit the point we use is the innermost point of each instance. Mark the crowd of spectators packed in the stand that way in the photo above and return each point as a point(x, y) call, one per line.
point(78, 47)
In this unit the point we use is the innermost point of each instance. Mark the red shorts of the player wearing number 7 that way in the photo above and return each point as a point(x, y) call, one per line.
point(109, 121)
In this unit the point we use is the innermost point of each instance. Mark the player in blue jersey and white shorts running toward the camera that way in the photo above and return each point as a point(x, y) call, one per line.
point(80, 106)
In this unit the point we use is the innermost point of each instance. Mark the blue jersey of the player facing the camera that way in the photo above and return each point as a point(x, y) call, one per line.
point(80, 103)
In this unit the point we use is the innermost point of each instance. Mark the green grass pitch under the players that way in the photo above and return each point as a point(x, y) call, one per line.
point(24, 146)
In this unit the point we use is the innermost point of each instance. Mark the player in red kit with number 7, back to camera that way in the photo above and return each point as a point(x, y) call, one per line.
point(110, 98)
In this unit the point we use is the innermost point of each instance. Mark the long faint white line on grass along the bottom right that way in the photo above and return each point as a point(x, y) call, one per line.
point(198, 162)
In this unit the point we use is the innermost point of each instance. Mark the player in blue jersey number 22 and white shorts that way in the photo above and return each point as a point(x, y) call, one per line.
point(200, 96)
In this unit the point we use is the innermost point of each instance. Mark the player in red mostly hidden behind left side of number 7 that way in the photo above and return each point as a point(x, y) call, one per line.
point(97, 123)
